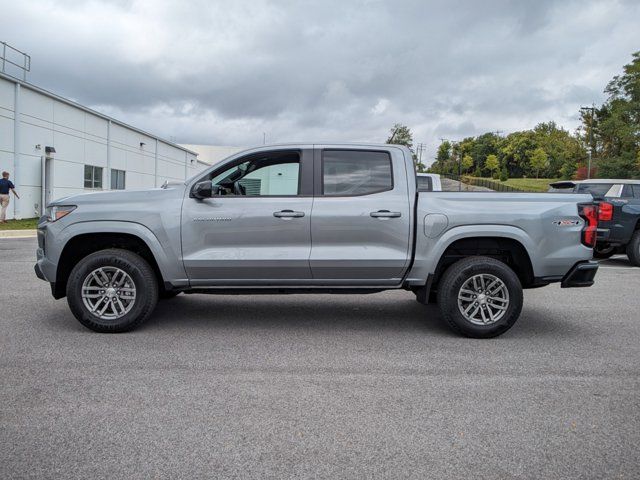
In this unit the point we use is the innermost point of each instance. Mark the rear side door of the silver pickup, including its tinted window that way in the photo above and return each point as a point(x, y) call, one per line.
point(360, 223)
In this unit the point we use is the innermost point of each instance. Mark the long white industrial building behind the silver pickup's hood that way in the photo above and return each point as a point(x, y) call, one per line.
point(54, 147)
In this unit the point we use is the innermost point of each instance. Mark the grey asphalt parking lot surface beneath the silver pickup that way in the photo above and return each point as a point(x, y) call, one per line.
point(320, 386)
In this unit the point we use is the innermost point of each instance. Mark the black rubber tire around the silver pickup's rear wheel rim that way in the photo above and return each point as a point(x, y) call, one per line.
point(451, 283)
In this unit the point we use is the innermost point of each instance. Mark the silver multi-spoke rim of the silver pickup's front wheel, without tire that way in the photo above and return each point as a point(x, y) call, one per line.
point(108, 293)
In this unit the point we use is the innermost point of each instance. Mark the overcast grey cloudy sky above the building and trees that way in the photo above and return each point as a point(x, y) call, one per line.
point(223, 72)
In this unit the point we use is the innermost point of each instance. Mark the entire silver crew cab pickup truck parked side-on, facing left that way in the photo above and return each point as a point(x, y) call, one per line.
point(307, 218)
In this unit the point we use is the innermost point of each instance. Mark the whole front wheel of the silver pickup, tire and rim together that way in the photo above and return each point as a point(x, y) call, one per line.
point(112, 291)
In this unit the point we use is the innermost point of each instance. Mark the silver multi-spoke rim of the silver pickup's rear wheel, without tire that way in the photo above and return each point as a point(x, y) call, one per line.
point(483, 299)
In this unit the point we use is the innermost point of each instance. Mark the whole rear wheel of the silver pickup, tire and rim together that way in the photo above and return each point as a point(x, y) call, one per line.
point(480, 297)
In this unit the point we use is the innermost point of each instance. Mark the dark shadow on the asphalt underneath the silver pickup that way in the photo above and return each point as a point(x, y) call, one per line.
point(400, 314)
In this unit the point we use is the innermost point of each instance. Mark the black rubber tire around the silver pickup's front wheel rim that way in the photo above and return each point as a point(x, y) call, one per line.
point(142, 275)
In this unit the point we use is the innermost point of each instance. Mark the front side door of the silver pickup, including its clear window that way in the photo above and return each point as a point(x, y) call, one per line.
point(256, 228)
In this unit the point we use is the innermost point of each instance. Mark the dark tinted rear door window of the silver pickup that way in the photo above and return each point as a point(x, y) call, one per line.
point(355, 172)
